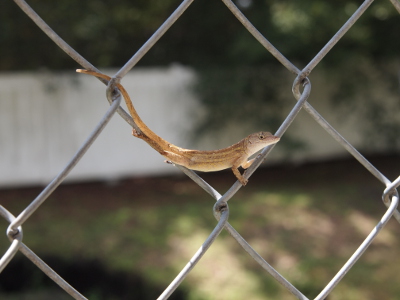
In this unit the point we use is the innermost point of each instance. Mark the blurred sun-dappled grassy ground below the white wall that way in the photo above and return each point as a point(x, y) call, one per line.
point(306, 222)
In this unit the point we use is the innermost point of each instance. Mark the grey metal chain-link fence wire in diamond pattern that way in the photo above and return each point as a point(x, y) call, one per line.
point(301, 90)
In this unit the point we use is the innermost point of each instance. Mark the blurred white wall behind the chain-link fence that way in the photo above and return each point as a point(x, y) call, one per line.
point(45, 117)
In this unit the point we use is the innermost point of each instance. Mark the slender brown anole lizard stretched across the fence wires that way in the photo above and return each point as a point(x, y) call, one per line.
point(207, 161)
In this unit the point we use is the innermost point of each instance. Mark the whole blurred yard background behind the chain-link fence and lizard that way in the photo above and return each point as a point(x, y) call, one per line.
point(124, 223)
